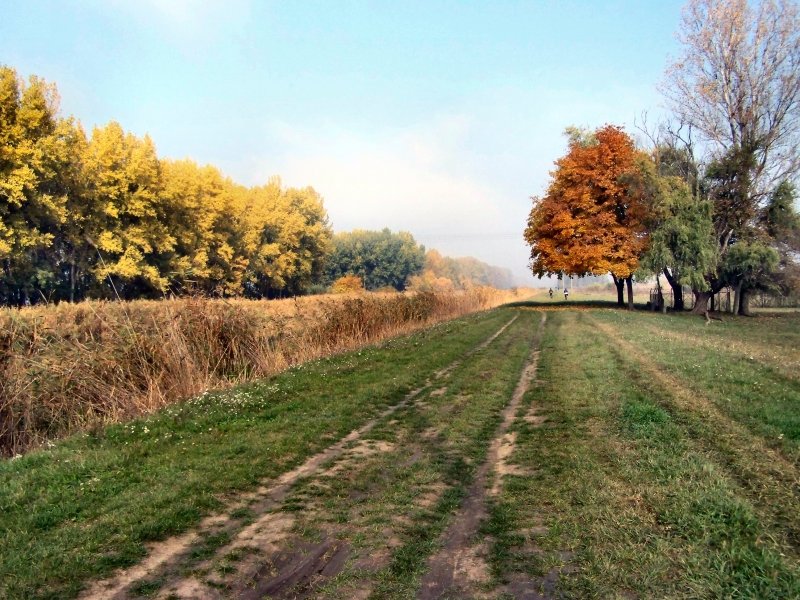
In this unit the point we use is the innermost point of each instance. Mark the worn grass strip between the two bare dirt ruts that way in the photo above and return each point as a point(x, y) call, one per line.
point(377, 496)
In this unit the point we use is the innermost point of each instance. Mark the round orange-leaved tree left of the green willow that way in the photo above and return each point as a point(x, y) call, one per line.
point(591, 221)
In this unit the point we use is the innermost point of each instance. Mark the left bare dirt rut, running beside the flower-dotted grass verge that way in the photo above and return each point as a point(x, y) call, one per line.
point(163, 556)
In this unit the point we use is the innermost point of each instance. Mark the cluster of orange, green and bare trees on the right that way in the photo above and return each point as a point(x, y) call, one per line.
point(709, 200)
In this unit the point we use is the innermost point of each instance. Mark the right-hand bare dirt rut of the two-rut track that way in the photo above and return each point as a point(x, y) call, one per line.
point(459, 568)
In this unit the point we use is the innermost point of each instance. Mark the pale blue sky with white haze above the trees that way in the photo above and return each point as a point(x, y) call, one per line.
point(438, 118)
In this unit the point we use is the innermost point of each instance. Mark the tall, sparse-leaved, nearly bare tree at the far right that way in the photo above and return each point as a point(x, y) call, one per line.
point(737, 84)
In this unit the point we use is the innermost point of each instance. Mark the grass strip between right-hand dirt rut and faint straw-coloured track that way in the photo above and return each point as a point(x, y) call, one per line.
point(627, 498)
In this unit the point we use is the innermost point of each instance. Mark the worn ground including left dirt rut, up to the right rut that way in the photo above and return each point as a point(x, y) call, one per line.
point(313, 532)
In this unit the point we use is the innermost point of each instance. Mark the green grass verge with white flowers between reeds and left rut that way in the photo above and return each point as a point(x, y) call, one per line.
point(90, 503)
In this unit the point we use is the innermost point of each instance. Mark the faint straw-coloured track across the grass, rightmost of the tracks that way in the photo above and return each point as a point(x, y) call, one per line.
point(766, 476)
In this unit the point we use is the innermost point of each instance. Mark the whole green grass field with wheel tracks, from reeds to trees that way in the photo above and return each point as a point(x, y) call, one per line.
point(537, 449)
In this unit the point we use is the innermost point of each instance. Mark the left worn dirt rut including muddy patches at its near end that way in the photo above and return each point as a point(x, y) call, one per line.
point(251, 521)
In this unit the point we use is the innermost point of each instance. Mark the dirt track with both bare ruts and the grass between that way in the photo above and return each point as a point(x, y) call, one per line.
point(331, 526)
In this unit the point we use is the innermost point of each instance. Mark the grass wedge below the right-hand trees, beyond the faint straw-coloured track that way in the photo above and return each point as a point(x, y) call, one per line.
point(728, 364)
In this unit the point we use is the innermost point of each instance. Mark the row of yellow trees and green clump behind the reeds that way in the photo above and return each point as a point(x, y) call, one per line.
point(102, 216)
